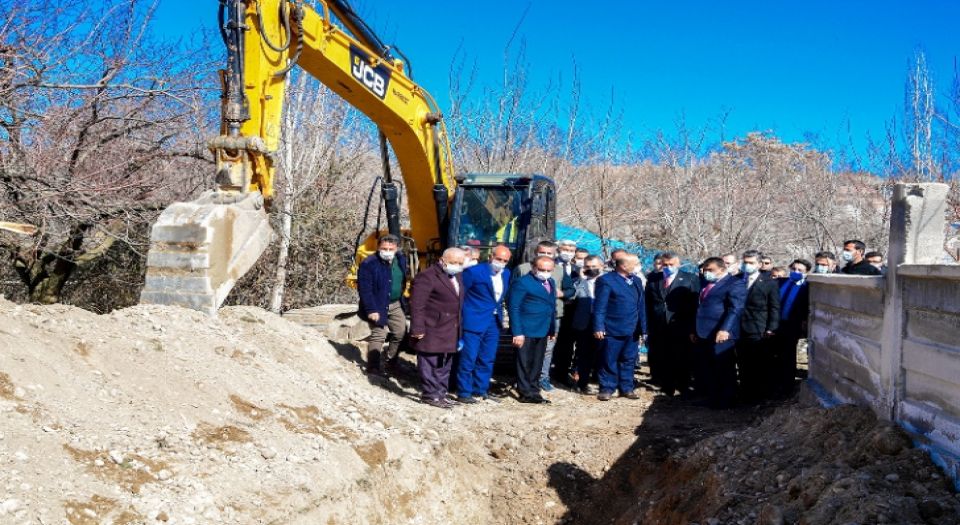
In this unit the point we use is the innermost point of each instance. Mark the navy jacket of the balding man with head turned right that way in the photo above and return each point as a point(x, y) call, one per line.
point(618, 308)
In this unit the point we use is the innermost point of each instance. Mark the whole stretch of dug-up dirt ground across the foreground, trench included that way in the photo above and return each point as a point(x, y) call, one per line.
point(161, 415)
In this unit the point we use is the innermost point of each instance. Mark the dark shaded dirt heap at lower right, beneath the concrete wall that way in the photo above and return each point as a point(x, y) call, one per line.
point(800, 465)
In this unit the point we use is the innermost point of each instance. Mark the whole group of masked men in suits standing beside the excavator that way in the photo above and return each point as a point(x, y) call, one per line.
point(729, 331)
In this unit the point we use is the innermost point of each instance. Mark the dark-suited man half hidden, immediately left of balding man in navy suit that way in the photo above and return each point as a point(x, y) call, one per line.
point(587, 356)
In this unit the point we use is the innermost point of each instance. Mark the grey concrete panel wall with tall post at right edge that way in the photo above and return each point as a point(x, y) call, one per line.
point(893, 343)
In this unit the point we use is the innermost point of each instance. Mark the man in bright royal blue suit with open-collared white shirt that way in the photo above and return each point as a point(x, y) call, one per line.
point(485, 286)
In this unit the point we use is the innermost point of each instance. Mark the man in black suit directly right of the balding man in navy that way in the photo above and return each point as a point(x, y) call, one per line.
point(671, 300)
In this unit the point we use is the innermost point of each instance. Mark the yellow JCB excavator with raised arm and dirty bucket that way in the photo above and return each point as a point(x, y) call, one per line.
point(200, 249)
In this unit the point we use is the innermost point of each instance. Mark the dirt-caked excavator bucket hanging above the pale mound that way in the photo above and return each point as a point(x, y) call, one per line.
point(199, 249)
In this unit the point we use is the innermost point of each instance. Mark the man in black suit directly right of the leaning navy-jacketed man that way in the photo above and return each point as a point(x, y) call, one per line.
point(758, 324)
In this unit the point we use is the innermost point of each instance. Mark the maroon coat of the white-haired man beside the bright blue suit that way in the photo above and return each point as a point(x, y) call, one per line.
point(435, 311)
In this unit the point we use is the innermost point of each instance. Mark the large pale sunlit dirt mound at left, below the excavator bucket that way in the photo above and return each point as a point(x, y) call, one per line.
point(157, 414)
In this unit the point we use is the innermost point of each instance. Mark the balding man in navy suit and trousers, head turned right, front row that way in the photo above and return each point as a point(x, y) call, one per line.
point(619, 321)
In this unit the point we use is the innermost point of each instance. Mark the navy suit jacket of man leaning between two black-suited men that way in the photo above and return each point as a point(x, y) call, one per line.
point(721, 310)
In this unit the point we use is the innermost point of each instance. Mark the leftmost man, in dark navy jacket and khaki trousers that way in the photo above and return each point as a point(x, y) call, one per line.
point(381, 282)
